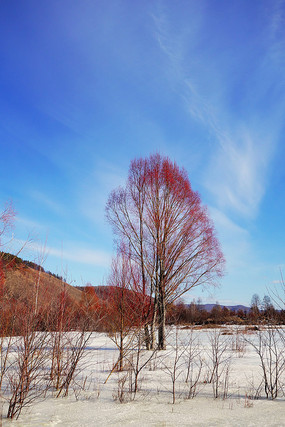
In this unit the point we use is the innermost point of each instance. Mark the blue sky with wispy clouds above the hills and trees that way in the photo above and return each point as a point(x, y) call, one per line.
point(88, 86)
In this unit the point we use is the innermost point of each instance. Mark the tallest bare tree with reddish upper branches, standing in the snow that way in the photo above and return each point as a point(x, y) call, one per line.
point(168, 232)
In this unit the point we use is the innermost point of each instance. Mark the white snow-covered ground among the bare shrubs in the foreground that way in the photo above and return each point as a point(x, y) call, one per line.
point(97, 404)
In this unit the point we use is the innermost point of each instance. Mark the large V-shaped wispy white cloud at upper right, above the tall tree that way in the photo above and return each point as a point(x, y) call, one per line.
point(244, 139)
